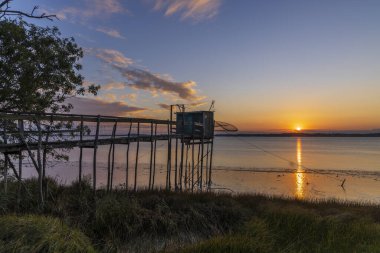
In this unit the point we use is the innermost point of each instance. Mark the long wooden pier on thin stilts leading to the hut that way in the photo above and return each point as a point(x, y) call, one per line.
point(34, 135)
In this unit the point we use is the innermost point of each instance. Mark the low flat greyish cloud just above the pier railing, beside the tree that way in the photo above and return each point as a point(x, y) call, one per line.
point(100, 107)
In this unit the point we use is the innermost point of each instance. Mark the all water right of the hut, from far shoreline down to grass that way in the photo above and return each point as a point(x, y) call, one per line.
point(305, 167)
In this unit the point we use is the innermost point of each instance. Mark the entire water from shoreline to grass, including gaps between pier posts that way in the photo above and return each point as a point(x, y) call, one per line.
point(304, 167)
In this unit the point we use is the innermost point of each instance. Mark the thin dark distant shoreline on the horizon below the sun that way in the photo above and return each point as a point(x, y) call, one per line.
point(302, 135)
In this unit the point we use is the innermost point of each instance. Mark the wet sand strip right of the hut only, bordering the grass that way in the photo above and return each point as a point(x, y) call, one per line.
point(358, 186)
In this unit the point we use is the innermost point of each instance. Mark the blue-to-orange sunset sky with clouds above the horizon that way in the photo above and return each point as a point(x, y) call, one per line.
point(269, 65)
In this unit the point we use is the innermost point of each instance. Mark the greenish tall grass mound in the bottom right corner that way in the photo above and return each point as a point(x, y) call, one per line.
point(295, 231)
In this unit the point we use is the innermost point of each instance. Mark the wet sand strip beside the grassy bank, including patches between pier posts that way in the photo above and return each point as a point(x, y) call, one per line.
point(359, 186)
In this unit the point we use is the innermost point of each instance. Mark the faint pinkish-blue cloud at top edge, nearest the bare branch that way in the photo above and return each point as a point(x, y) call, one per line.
point(92, 8)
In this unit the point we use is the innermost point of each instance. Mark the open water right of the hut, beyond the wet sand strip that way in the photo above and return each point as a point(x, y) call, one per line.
point(319, 153)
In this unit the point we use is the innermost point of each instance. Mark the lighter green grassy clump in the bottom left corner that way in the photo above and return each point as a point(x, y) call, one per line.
point(40, 234)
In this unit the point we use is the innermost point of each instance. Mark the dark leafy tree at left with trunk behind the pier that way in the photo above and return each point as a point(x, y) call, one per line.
point(39, 70)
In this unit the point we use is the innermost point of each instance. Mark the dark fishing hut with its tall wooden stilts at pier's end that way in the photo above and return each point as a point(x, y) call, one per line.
point(195, 131)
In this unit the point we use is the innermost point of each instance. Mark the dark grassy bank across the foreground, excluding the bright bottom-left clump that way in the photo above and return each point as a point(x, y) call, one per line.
point(161, 221)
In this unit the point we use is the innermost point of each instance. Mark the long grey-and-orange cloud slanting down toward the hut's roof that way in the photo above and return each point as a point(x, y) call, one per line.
point(142, 79)
